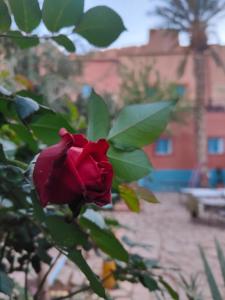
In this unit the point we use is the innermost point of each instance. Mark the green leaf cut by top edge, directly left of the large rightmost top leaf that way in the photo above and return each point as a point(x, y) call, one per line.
point(58, 14)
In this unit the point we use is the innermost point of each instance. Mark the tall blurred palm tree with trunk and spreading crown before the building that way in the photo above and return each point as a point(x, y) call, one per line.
point(195, 17)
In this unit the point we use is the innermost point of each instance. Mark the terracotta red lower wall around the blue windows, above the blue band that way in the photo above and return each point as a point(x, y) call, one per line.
point(183, 155)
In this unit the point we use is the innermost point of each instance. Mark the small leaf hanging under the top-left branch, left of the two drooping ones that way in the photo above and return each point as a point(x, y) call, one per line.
point(23, 41)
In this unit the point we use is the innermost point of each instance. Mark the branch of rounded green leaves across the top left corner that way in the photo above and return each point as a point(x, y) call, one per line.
point(100, 25)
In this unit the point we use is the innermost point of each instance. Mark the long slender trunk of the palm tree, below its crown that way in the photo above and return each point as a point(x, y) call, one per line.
point(200, 116)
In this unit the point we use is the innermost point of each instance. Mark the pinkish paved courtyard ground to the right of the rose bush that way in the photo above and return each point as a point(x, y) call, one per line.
point(174, 238)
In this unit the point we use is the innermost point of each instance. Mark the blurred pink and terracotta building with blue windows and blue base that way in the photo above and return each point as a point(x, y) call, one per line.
point(173, 156)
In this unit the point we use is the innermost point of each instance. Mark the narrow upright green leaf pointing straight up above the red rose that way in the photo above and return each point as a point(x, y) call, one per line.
point(98, 118)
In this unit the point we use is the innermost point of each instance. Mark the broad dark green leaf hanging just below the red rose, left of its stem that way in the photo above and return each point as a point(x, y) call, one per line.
point(65, 234)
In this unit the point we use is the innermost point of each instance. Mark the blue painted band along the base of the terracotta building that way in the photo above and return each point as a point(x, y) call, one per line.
point(174, 180)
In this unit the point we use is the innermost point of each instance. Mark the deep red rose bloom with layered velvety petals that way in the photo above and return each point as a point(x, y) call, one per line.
point(74, 171)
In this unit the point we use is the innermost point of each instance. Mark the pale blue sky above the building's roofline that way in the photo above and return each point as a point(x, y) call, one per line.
point(138, 23)
